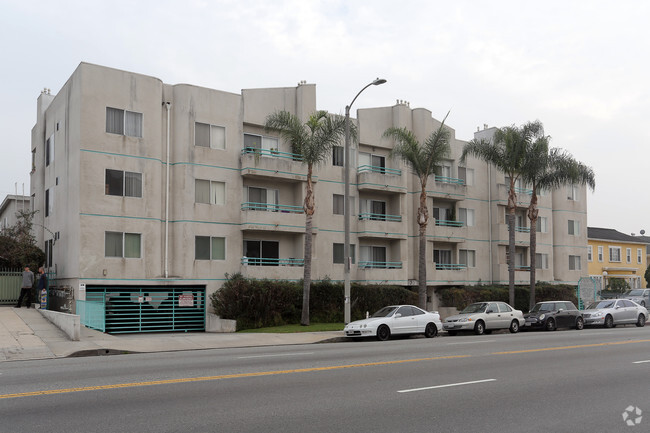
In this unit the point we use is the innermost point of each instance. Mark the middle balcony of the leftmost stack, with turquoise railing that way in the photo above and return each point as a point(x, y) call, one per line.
point(272, 217)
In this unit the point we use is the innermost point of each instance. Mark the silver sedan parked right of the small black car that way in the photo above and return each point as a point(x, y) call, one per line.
point(612, 312)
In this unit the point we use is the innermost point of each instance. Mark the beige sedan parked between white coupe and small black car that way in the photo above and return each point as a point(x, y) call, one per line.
point(484, 317)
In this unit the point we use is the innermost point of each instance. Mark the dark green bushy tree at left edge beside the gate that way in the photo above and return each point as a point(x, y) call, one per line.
point(18, 245)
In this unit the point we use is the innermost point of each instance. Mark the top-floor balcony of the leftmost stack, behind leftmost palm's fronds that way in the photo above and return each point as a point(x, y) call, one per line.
point(273, 164)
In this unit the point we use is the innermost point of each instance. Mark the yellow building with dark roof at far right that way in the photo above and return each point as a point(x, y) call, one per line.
point(612, 254)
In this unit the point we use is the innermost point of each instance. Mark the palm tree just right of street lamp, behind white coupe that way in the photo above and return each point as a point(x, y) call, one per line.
point(422, 159)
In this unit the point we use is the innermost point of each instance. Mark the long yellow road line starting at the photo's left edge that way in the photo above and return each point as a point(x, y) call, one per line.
point(225, 376)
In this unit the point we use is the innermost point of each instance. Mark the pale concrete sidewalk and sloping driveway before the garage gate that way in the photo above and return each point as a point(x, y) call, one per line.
point(26, 334)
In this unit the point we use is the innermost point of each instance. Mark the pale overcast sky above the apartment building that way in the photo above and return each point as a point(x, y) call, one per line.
point(580, 67)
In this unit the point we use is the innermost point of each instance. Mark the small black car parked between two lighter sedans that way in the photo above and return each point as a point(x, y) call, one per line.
point(551, 315)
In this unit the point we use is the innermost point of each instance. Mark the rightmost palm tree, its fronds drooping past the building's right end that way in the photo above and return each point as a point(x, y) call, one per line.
point(549, 170)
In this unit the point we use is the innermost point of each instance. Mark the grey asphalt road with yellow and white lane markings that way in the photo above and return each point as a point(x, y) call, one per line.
point(563, 381)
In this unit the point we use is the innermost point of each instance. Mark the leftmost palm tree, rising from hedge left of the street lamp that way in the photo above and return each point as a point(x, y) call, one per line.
point(313, 141)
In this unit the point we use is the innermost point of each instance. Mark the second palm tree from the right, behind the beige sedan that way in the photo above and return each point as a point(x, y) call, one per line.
point(507, 152)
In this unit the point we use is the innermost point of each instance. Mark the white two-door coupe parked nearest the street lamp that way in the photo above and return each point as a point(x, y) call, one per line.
point(396, 320)
